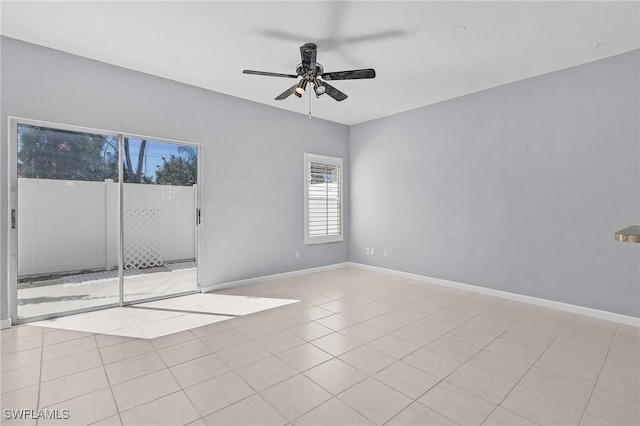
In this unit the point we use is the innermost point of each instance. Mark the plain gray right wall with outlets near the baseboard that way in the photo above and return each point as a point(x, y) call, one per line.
point(517, 188)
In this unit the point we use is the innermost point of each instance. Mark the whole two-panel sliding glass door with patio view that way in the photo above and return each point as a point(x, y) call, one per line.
point(100, 220)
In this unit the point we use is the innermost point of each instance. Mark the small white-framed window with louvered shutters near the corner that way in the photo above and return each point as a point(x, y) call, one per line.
point(323, 199)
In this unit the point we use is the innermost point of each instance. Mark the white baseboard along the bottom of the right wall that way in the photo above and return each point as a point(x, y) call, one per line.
point(561, 306)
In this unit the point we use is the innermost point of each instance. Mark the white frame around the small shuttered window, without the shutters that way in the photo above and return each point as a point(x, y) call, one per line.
point(329, 161)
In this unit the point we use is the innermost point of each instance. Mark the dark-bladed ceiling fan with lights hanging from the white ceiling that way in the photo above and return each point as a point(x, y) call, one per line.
point(312, 72)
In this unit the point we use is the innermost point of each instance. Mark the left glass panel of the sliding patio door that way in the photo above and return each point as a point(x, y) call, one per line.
point(67, 219)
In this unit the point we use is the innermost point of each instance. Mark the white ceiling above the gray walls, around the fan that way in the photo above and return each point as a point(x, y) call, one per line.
point(417, 49)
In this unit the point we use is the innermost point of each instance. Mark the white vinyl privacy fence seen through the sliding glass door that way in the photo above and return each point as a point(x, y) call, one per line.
point(66, 225)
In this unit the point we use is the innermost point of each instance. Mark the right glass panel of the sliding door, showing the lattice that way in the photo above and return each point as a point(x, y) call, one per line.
point(159, 216)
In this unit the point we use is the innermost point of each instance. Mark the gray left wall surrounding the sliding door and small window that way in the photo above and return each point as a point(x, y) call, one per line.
point(252, 156)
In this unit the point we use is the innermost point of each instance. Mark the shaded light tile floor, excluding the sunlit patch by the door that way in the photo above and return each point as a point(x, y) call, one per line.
point(360, 348)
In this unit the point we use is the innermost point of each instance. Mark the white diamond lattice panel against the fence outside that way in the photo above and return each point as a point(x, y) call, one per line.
point(142, 238)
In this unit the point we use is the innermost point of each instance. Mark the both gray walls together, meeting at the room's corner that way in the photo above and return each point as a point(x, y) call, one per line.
point(517, 188)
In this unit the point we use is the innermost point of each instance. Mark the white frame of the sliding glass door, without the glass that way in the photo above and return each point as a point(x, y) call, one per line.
point(12, 205)
